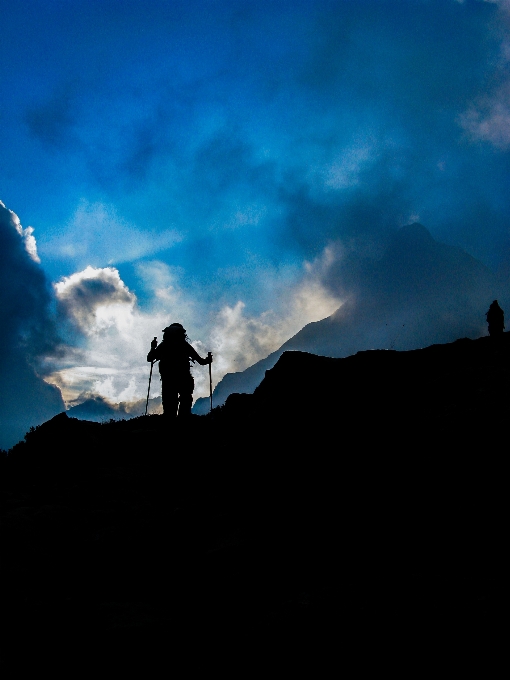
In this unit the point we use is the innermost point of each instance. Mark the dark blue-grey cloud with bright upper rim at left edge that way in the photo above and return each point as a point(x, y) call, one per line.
point(27, 332)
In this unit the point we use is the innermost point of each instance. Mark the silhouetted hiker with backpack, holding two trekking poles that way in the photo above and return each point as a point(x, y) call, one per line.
point(174, 354)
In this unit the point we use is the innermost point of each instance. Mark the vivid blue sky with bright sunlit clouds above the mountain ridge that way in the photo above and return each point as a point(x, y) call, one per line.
point(208, 160)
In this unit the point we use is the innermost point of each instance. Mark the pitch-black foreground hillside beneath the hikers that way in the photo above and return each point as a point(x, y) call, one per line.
point(348, 511)
